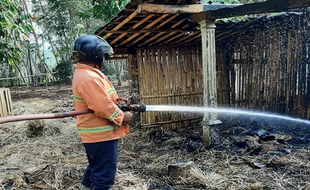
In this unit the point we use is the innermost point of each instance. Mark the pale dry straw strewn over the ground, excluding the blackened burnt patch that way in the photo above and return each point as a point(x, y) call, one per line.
point(49, 155)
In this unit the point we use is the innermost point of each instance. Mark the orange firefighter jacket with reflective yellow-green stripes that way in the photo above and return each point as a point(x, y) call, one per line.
point(92, 90)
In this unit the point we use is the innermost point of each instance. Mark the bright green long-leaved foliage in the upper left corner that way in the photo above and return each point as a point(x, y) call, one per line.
point(13, 31)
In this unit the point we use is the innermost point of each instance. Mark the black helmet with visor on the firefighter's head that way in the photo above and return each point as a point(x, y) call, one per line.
point(92, 48)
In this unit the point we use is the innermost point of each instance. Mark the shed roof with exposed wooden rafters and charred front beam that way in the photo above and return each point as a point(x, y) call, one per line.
point(143, 24)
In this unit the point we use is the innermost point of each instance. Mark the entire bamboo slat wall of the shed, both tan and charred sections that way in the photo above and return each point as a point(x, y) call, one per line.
point(263, 66)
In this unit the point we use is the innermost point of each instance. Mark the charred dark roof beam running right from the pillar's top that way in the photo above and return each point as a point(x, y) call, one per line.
point(253, 8)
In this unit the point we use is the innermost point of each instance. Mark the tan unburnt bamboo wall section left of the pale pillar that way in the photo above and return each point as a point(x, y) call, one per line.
point(170, 76)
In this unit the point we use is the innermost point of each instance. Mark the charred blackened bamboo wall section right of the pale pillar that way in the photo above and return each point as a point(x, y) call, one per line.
point(266, 67)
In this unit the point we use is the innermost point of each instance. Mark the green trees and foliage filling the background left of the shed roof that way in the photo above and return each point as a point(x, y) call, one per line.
point(57, 23)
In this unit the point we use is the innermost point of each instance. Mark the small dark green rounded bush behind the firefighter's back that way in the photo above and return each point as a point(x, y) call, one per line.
point(63, 72)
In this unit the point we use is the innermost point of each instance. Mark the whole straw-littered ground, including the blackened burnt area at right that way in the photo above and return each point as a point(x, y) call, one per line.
point(253, 153)
